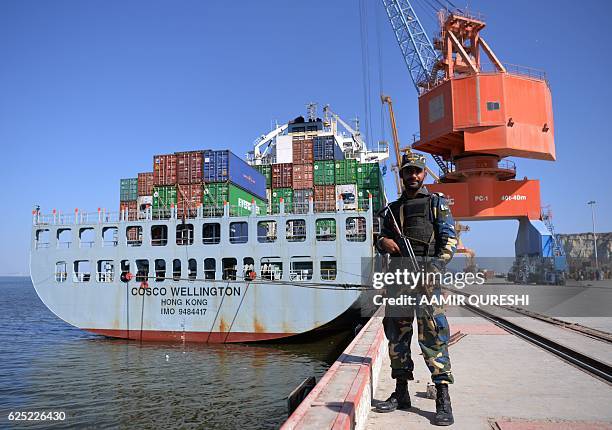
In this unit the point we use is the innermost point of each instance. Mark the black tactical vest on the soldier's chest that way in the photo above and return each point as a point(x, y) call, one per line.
point(417, 225)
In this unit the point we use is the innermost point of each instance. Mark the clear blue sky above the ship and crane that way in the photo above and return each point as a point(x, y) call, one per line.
point(90, 90)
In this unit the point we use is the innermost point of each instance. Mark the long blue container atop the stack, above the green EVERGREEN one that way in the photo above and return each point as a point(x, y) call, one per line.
point(224, 166)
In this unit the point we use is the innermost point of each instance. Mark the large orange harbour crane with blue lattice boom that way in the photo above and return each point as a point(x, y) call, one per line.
point(474, 112)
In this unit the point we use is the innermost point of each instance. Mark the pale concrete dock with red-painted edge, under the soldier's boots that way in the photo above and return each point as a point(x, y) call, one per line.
point(502, 382)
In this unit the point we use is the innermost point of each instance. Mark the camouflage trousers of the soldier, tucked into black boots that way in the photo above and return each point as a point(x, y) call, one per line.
point(433, 332)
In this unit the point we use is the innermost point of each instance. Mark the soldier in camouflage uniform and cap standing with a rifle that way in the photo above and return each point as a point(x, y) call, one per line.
point(425, 220)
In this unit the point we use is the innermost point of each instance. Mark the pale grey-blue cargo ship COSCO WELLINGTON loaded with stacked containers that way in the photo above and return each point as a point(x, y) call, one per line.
point(209, 247)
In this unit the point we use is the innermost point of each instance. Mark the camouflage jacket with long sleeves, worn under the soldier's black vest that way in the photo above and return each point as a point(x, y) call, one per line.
point(441, 218)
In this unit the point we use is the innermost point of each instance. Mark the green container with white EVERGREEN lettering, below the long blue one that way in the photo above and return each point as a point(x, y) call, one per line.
point(215, 194)
